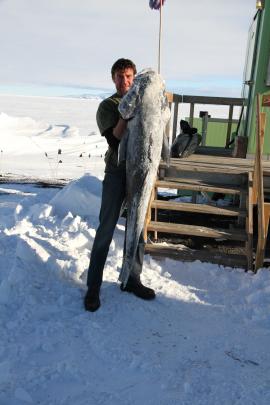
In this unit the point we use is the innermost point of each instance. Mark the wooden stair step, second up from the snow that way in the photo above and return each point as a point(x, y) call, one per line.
point(182, 229)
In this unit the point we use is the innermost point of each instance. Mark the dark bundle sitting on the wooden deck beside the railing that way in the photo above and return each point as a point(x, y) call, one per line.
point(186, 142)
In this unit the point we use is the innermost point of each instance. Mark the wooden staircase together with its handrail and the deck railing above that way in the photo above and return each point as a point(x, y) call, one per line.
point(212, 170)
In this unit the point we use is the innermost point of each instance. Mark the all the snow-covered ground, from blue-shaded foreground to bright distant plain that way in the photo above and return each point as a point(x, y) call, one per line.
point(204, 340)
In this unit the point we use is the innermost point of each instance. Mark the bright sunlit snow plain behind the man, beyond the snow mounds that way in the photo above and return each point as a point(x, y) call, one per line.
point(50, 137)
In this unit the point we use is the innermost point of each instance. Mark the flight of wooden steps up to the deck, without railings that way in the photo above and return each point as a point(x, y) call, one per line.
point(230, 244)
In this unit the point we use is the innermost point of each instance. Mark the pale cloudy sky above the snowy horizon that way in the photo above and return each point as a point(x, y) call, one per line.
point(74, 42)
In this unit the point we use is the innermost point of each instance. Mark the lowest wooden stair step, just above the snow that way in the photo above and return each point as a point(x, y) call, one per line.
point(186, 254)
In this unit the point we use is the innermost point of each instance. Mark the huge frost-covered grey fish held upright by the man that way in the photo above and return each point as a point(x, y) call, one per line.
point(147, 105)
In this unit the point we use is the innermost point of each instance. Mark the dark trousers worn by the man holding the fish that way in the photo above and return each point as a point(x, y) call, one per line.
point(113, 195)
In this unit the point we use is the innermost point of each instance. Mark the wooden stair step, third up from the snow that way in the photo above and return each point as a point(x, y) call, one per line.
point(198, 208)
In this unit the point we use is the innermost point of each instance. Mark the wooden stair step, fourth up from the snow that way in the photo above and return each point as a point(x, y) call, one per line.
point(193, 185)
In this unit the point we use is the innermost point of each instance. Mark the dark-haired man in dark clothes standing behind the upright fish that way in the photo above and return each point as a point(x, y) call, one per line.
point(113, 127)
